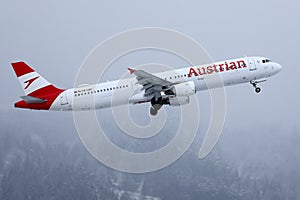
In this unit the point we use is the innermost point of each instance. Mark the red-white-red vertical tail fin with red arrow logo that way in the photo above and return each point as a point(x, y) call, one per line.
point(33, 84)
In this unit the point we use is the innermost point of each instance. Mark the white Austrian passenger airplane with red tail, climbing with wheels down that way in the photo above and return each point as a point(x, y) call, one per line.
point(172, 87)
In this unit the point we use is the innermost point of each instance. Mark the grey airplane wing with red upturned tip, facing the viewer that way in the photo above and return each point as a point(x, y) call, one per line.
point(152, 84)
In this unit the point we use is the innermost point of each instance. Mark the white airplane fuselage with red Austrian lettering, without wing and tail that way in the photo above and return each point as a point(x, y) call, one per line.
point(124, 91)
